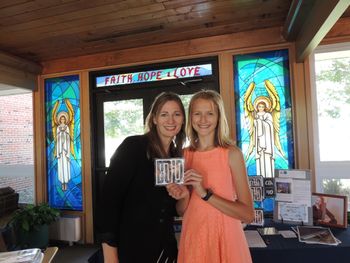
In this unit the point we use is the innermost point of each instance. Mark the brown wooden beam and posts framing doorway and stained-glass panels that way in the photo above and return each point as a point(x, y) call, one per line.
point(224, 46)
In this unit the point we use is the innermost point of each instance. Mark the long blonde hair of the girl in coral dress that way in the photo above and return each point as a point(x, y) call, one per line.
point(222, 131)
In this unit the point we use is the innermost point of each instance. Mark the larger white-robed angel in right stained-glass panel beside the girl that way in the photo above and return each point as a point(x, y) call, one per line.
point(263, 120)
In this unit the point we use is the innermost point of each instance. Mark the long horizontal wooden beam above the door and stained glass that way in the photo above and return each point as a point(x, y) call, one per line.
point(176, 50)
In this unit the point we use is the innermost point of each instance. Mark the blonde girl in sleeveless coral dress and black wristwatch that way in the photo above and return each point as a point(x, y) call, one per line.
point(219, 198)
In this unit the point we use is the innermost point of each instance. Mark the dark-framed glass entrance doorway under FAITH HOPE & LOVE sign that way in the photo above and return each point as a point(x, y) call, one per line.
point(119, 110)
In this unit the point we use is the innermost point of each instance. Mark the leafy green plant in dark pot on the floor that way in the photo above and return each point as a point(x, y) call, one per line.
point(31, 225)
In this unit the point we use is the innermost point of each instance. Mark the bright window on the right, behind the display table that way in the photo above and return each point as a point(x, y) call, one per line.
point(331, 112)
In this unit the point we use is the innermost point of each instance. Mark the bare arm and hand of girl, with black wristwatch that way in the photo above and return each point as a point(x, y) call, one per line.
point(241, 208)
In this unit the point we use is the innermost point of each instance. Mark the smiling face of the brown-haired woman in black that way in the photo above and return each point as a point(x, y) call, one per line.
point(169, 120)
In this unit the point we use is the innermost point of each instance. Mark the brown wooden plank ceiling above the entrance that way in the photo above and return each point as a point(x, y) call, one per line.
point(43, 30)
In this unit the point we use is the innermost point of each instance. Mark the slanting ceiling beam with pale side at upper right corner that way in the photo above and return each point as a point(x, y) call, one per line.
point(319, 21)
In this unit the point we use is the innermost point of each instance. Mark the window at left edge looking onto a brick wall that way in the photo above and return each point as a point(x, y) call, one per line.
point(16, 144)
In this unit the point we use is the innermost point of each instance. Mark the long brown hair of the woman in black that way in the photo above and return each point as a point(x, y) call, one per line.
point(155, 149)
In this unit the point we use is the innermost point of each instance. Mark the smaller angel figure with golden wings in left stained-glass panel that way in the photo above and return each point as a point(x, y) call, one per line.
point(63, 134)
